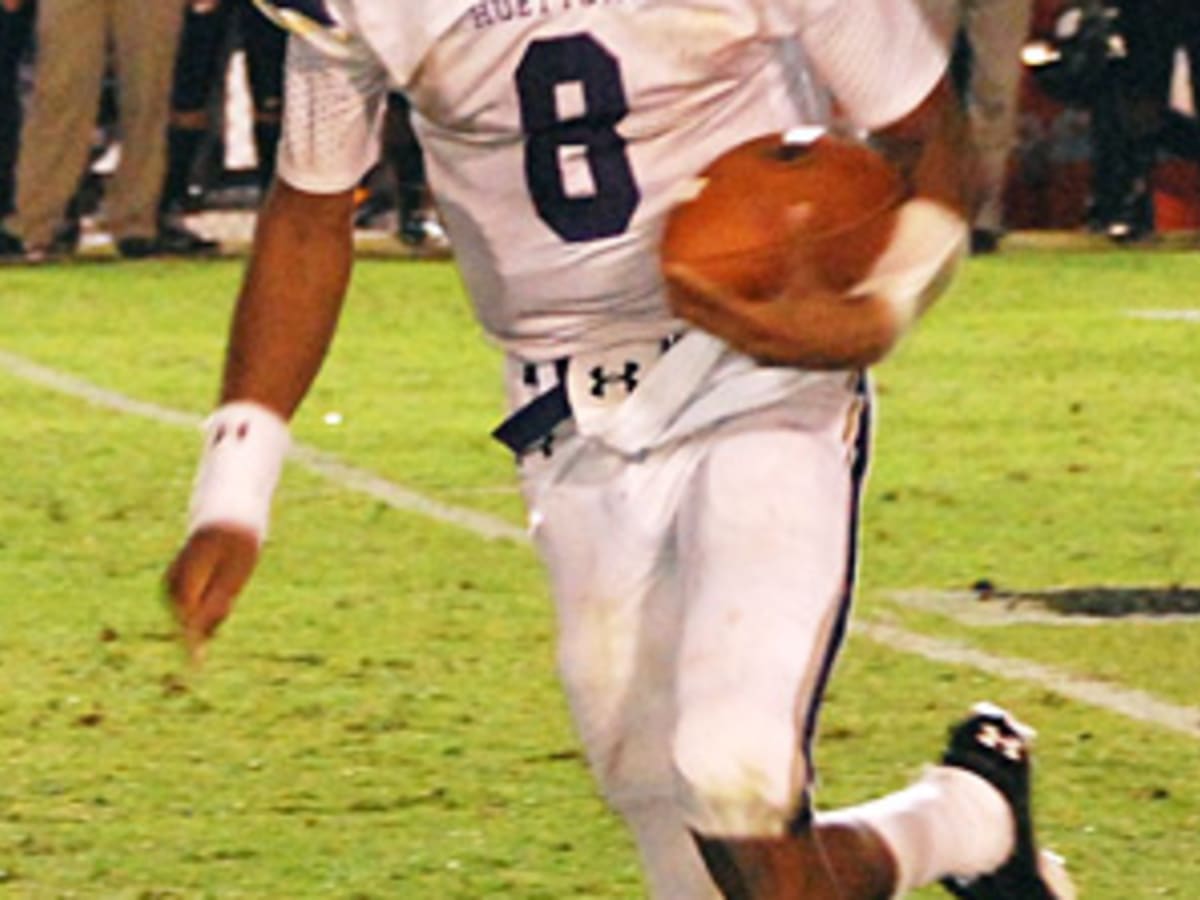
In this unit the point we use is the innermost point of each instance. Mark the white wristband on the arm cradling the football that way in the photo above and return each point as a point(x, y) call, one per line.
point(927, 245)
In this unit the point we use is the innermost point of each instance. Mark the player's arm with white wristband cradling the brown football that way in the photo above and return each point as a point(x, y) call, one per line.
point(813, 325)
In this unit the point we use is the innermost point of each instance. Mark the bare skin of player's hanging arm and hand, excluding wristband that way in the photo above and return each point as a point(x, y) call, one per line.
point(285, 320)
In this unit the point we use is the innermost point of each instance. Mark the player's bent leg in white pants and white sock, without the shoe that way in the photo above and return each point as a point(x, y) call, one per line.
point(770, 547)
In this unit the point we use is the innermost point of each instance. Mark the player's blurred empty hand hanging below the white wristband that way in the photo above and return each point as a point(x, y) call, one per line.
point(205, 580)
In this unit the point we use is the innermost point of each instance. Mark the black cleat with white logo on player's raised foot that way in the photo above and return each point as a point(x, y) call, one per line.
point(995, 747)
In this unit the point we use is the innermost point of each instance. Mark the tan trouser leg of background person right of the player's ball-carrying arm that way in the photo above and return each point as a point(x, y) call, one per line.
point(988, 37)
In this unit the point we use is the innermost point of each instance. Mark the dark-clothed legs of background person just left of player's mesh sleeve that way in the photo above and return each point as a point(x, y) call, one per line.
point(212, 32)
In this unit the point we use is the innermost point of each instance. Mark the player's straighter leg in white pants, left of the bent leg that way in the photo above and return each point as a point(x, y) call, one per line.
point(602, 537)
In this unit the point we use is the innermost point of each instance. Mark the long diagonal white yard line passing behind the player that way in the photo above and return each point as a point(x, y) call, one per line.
point(1130, 704)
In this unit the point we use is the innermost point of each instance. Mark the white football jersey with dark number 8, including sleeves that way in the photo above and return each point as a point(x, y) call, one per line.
point(559, 134)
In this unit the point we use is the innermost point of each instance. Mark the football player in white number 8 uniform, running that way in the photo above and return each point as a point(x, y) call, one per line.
point(693, 490)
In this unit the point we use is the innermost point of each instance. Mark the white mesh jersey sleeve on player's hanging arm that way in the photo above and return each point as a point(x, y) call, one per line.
point(333, 117)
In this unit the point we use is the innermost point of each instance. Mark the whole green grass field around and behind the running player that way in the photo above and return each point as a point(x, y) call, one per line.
point(381, 718)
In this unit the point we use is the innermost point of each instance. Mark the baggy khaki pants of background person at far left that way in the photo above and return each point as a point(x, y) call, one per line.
point(74, 41)
